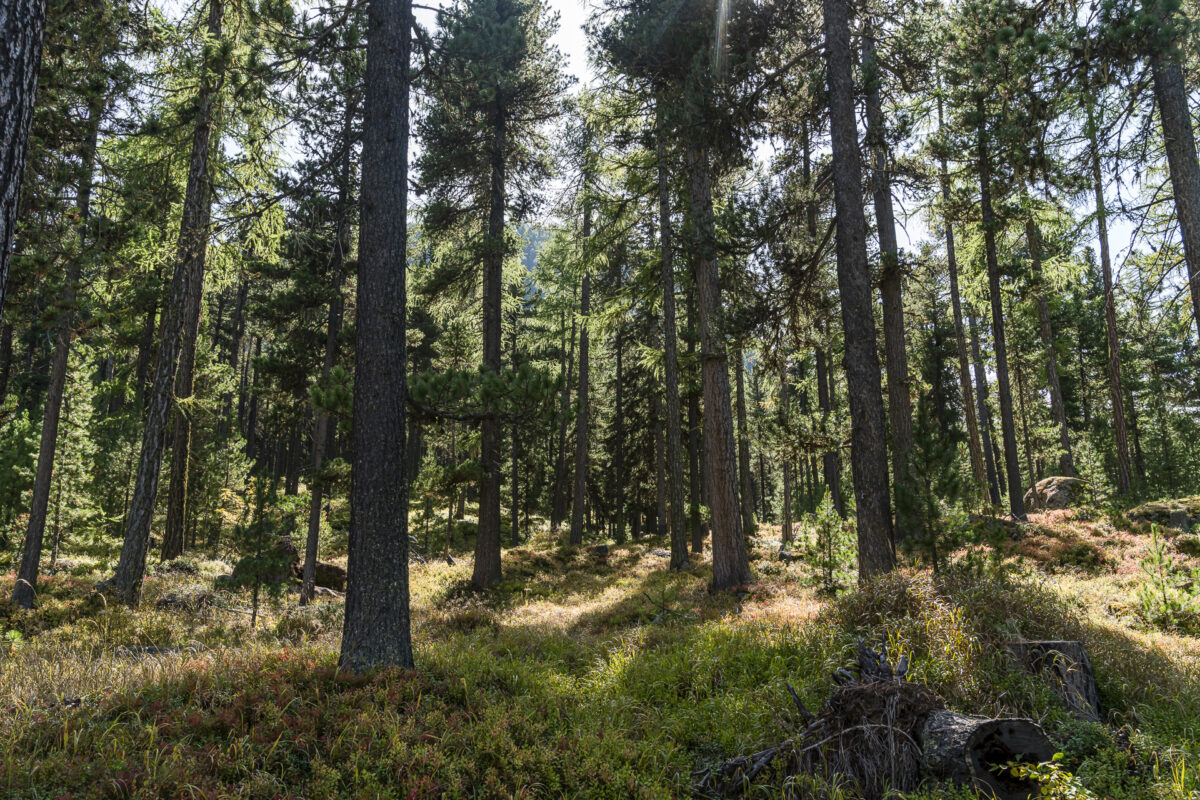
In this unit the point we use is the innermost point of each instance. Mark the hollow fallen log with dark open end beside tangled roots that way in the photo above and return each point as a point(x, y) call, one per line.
point(968, 750)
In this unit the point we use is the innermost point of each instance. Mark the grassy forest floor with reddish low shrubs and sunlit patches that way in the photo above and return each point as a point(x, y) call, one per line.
point(587, 676)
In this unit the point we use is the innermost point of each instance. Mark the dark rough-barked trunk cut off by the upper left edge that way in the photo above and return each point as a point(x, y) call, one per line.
point(22, 26)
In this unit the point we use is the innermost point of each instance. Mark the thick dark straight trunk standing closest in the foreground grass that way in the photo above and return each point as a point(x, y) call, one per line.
point(376, 633)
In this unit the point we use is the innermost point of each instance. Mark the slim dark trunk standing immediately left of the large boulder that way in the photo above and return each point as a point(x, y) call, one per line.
point(1012, 462)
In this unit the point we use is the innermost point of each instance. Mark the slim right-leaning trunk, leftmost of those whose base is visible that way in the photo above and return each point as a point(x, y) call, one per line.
point(27, 579)
